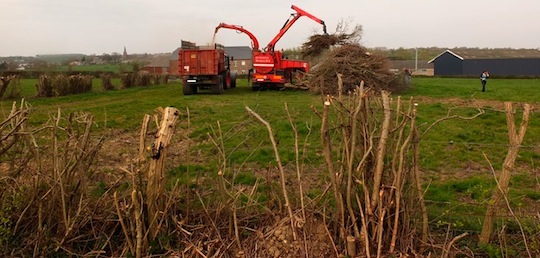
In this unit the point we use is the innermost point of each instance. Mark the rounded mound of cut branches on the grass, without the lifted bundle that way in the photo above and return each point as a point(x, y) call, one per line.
point(355, 64)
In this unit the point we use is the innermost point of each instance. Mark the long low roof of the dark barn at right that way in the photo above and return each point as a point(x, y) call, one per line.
point(474, 53)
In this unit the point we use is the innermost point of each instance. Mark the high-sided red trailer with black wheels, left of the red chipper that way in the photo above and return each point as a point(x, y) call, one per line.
point(204, 67)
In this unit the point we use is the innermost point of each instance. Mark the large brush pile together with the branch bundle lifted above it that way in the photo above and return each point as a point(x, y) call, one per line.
point(340, 53)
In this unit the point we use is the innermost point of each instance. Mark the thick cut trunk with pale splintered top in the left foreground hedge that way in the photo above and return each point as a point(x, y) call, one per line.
point(156, 177)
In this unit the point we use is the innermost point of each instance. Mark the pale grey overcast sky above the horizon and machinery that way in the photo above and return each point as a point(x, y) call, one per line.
point(31, 27)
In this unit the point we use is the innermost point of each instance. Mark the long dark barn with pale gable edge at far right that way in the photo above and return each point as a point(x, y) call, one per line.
point(505, 62)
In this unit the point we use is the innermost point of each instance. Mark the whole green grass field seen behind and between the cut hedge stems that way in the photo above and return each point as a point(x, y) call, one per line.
point(456, 155)
